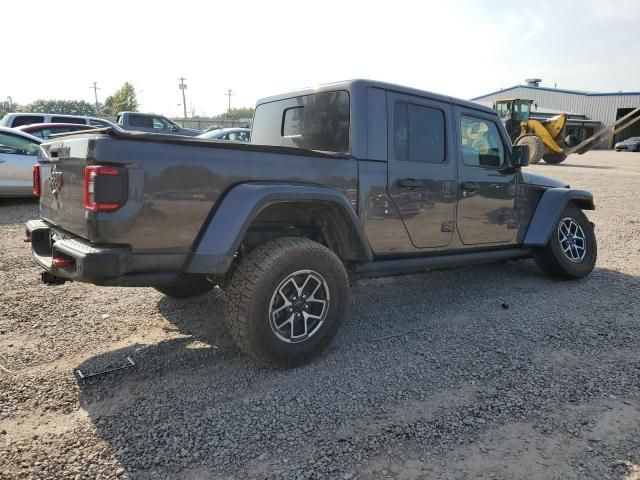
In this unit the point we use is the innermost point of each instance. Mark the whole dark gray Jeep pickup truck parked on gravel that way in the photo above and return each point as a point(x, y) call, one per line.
point(351, 179)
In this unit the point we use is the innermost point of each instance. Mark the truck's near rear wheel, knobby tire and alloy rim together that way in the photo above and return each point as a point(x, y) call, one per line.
point(286, 301)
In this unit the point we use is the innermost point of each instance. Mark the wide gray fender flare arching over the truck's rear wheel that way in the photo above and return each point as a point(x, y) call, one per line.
point(220, 239)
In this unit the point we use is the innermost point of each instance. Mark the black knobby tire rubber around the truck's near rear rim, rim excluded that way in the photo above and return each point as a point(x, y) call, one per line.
point(253, 288)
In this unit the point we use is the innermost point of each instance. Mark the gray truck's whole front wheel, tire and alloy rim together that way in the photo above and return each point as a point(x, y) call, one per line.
point(572, 249)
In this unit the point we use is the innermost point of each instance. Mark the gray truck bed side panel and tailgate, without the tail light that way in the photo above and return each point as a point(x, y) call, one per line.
point(173, 184)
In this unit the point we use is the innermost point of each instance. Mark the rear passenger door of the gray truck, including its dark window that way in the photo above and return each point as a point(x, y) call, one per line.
point(421, 168)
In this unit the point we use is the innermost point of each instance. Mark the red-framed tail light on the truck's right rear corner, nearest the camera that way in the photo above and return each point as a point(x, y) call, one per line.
point(103, 188)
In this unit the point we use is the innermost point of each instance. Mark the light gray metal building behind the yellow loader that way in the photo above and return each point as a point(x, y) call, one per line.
point(588, 112)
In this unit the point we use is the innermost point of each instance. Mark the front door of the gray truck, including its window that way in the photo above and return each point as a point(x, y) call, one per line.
point(486, 199)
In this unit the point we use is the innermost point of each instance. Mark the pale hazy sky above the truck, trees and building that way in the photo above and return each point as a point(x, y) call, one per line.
point(57, 49)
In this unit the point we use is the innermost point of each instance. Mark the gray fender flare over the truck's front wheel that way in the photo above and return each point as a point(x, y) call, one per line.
point(549, 209)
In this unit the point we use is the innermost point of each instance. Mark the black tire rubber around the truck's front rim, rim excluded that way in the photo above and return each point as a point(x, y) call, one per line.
point(553, 261)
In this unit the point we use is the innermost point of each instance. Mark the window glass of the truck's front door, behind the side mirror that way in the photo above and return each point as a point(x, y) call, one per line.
point(481, 143)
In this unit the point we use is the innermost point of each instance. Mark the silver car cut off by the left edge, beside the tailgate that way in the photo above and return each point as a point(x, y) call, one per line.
point(18, 154)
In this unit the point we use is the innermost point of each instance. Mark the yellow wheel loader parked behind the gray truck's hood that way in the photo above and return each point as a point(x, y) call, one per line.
point(545, 138)
